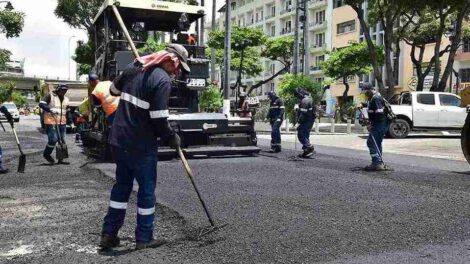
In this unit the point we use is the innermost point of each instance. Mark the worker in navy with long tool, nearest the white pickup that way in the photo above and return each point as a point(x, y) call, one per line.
point(377, 128)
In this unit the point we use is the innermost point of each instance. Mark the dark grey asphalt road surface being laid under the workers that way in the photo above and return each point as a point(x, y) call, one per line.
point(322, 210)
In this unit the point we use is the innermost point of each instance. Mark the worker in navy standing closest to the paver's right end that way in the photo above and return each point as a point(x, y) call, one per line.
point(275, 117)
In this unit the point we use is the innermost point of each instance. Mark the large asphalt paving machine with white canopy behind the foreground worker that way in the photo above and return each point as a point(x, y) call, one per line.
point(121, 26)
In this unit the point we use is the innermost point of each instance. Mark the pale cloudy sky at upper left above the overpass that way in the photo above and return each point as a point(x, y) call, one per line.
point(44, 42)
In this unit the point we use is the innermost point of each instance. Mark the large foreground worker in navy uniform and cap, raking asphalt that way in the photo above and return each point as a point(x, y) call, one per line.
point(141, 117)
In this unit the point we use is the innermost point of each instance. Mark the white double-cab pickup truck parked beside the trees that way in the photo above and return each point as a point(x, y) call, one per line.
point(427, 111)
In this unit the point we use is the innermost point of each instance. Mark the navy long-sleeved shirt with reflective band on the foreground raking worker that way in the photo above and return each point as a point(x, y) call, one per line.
point(142, 113)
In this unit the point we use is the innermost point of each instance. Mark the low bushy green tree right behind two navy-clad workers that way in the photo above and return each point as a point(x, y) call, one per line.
point(287, 87)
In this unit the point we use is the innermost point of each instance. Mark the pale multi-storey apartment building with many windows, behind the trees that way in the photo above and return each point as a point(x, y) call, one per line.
point(277, 18)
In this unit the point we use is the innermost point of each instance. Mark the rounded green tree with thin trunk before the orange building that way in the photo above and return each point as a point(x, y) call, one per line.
point(349, 61)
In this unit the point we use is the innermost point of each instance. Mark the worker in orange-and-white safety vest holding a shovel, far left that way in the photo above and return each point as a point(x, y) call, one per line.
point(55, 106)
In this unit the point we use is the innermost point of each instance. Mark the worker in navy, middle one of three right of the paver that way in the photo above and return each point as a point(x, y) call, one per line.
point(306, 115)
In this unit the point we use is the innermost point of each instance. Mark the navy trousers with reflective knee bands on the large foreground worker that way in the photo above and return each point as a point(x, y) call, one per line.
point(132, 165)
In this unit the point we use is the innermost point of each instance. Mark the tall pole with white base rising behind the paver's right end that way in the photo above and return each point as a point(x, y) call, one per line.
point(228, 41)
